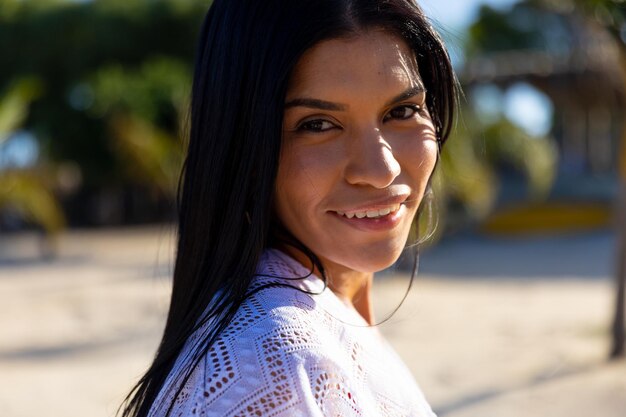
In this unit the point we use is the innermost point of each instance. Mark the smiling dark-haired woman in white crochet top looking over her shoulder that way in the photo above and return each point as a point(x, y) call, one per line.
point(315, 128)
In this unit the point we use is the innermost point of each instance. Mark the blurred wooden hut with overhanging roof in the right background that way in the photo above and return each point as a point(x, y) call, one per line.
point(586, 87)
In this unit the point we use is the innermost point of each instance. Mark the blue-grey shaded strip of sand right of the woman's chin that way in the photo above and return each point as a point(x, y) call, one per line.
point(584, 256)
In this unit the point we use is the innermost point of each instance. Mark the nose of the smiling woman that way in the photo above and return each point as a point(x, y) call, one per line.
point(371, 161)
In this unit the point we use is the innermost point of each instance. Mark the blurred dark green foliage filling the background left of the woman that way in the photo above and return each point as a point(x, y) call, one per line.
point(107, 94)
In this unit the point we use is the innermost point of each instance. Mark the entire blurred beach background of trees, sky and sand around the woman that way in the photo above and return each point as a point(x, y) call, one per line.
point(518, 307)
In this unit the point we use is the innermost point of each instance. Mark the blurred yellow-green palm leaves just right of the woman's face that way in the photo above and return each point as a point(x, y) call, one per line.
point(473, 156)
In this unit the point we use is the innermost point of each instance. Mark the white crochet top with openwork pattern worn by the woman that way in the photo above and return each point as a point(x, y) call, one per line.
point(288, 353)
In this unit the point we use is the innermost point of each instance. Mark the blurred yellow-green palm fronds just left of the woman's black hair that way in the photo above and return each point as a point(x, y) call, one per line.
point(145, 110)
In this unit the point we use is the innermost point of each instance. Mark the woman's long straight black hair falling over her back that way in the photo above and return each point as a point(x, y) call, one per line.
point(246, 53)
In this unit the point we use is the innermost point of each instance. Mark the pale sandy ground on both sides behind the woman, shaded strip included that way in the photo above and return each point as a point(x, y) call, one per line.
point(492, 328)
